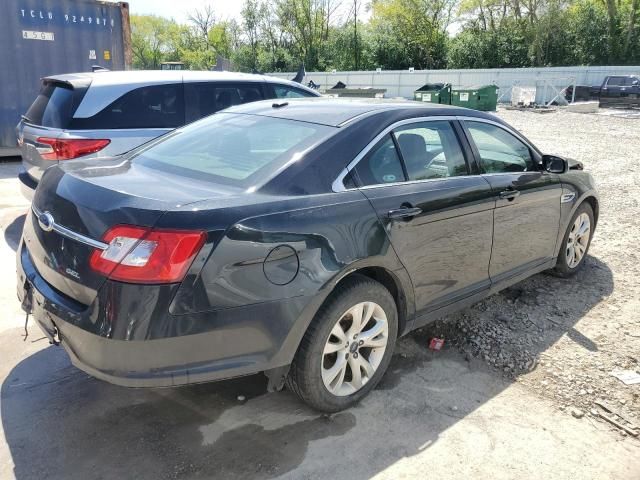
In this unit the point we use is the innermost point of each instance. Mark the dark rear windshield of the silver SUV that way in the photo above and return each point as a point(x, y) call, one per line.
point(53, 107)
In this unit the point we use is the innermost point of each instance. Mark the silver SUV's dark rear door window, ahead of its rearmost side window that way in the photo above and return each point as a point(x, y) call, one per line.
point(205, 98)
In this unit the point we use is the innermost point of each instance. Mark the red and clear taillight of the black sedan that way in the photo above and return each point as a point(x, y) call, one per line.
point(144, 255)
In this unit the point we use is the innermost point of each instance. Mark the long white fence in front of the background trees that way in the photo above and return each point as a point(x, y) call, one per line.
point(402, 83)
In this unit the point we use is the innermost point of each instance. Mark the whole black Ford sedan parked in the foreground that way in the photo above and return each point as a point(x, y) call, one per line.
point(298, 239)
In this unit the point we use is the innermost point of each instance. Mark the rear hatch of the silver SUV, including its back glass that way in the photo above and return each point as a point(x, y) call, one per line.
point(48, 116)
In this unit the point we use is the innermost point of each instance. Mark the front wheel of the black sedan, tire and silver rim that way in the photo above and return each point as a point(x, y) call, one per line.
point(565, 267)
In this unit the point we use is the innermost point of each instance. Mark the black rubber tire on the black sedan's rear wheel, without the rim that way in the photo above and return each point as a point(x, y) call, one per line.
point(305, 375)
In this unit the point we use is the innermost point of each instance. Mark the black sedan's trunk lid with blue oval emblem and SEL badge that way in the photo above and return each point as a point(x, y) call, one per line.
point(88, 199)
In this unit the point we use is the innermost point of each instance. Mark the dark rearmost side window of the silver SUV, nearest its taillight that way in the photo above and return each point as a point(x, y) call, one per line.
point(154, 106)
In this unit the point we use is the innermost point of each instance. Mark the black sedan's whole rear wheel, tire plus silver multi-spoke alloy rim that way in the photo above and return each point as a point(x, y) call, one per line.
point(311, 369)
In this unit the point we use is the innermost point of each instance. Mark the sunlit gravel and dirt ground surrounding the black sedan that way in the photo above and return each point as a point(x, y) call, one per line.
point(512, 395)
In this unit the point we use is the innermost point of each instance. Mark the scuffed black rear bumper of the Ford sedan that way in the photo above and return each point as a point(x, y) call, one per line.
point(239, 341)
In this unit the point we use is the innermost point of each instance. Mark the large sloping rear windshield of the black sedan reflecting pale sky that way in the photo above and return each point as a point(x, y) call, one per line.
point(234, 149)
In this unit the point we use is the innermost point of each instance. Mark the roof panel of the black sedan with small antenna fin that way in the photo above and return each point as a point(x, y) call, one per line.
point(337, 112)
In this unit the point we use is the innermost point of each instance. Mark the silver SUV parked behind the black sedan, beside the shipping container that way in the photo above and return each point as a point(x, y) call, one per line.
point(102, 114)
